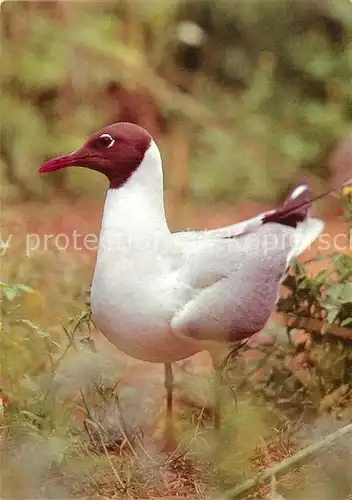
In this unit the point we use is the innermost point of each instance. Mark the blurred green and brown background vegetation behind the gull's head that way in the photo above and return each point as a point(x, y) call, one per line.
point(254, 94)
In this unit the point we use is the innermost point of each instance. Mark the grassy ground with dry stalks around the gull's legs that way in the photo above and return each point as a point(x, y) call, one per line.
point(72, 425)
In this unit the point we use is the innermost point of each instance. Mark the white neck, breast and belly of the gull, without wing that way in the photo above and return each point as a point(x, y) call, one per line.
point(135, 292)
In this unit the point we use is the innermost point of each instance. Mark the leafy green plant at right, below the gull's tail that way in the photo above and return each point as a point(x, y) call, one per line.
point(312, 371)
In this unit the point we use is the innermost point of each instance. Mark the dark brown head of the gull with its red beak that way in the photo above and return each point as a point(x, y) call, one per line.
point(116, 151)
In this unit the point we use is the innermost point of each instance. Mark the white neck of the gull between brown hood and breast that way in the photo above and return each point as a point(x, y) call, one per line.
point(135, 211)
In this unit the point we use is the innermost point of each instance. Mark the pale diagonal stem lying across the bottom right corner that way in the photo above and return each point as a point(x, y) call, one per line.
point(286, 465)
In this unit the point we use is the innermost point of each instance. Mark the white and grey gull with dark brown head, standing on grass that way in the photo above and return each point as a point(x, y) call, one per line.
point(160, 296)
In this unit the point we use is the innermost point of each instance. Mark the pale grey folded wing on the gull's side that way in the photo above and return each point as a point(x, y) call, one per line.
point(236, 284)
